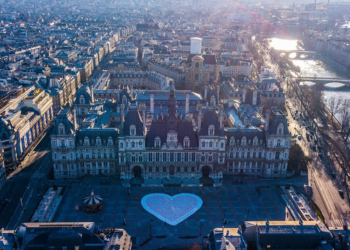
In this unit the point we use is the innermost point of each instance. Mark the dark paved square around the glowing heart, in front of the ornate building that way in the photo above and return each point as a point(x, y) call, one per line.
point(239, 201)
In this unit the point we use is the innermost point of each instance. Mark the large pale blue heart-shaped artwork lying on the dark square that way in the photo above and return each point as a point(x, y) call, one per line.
point(171, 210)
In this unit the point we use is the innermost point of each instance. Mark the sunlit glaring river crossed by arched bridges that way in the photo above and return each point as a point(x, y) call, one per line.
point(310, 68)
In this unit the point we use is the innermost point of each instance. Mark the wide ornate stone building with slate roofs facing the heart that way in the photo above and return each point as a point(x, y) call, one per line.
point(168, 147)
